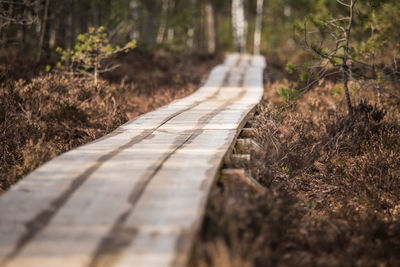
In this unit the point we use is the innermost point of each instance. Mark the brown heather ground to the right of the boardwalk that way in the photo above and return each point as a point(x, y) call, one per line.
point(332, 186)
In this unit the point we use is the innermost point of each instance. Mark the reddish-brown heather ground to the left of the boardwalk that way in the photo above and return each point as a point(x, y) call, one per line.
point(45, 114)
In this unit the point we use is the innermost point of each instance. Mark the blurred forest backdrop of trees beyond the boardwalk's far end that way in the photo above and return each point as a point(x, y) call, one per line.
point(35, 28)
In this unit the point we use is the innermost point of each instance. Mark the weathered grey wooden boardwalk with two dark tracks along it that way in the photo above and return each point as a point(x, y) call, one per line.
point(137, 196)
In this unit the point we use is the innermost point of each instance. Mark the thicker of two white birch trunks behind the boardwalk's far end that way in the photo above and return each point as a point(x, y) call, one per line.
point(238, 25)
